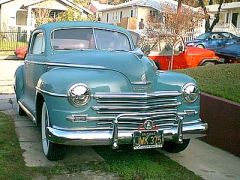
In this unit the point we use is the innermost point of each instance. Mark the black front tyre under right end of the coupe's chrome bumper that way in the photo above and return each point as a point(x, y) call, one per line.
point(173, 147)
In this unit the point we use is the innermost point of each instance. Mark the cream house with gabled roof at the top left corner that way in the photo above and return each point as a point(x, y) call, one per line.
point(19, 14)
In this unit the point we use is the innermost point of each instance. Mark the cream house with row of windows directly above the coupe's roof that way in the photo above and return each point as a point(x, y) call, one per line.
point(129, 14)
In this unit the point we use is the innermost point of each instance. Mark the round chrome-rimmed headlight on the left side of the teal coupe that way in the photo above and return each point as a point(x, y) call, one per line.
point(78, 95)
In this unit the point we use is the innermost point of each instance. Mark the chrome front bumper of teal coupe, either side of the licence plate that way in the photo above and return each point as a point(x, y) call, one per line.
point(115, 137)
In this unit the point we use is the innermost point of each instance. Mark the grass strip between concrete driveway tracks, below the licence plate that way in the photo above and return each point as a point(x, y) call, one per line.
point(143, 164)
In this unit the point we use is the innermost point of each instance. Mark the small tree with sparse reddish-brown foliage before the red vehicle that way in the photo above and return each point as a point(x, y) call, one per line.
point(177, 22)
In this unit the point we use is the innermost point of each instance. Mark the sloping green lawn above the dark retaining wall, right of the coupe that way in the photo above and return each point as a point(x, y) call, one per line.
point(220, 80)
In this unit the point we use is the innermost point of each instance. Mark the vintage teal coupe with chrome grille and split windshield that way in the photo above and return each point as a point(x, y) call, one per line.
point(85, 83)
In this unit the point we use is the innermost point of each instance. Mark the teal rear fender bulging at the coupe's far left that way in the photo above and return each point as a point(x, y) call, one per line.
point(19, 82)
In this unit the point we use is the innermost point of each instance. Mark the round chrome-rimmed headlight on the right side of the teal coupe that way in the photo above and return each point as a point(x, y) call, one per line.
point(190, 92)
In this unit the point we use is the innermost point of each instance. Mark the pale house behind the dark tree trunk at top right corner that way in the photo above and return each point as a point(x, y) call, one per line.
point(229, 17)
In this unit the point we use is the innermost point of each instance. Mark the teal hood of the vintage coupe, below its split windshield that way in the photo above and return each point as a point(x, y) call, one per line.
point(129, 64)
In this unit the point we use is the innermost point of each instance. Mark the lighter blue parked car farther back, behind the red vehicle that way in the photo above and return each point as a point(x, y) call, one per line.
point(214, 40)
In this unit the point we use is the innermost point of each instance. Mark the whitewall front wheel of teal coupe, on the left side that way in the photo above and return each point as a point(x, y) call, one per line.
point(51, 150)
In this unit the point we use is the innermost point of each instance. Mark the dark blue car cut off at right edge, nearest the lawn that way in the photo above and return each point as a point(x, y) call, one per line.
point(230, 54)
